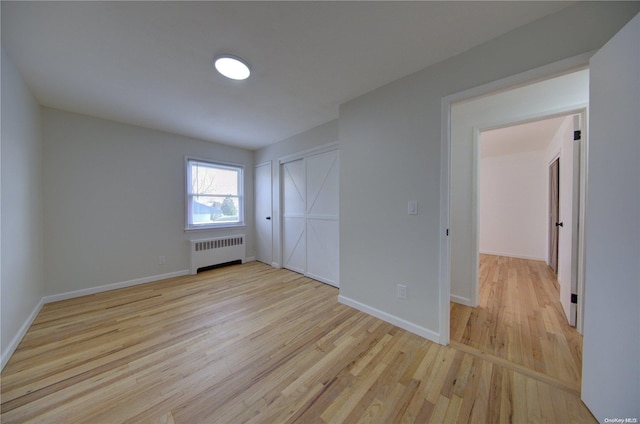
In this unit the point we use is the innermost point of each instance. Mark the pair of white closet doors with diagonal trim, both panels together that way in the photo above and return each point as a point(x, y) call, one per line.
point(310, 224)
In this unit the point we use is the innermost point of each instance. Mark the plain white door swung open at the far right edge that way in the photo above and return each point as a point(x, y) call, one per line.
point(611, 346)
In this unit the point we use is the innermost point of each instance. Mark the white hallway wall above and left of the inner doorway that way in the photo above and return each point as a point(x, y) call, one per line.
point(568, 92)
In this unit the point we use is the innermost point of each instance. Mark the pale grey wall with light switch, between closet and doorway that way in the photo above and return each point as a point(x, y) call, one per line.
point(390, 153)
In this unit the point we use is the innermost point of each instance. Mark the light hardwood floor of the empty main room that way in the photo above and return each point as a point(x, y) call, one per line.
point(254, 344)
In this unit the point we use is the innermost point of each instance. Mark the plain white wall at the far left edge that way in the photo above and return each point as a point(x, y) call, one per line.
point(21, 283)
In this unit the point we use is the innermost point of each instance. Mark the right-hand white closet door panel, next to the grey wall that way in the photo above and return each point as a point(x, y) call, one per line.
point(322, 211)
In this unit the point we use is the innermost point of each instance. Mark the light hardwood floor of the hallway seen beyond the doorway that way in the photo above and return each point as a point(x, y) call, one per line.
point(520, 319)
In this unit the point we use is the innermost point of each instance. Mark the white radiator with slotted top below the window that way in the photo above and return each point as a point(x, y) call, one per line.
point(209, 252)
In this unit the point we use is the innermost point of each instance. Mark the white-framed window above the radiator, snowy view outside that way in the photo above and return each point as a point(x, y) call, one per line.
point(214, 195)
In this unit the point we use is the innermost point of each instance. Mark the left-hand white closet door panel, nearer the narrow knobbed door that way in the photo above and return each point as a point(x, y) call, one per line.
point(294, 221)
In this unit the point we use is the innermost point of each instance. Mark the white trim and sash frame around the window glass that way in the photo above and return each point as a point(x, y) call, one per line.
point(187, 203)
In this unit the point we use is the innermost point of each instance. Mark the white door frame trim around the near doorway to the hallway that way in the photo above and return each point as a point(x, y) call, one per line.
point(538, 74)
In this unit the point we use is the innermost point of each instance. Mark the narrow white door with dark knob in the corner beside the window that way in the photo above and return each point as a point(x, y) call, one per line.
point(263, 221)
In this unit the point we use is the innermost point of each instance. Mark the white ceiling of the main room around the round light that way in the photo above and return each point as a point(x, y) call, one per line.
point(149, 63)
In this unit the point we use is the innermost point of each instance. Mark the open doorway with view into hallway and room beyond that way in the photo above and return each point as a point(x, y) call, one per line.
point(505, 298)
